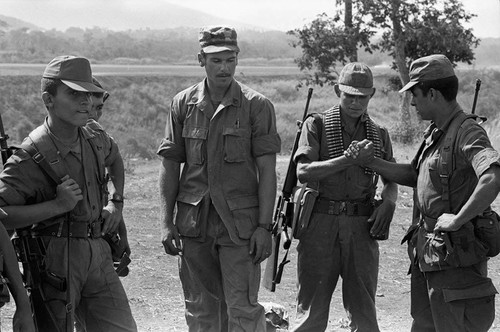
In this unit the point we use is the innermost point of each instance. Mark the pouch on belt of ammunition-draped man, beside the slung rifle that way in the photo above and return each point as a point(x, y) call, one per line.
point(304, 199)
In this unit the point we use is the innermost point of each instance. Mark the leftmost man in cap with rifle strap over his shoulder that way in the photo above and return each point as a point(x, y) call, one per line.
point(70, 218)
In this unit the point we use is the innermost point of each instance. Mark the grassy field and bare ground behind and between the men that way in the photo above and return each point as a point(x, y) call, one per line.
point(135, 116)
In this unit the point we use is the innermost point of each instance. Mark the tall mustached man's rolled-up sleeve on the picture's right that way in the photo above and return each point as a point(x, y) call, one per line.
point(265, 138)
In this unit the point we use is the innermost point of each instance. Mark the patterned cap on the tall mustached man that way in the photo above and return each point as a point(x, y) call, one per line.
point(218, 39)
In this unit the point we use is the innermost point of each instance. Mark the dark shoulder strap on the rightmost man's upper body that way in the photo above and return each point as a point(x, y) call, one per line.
point(446, 158)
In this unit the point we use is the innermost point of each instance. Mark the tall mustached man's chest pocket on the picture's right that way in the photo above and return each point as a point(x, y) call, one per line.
point(236, 144)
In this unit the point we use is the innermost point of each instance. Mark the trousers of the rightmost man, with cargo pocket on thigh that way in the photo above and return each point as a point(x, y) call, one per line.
point(453, 300)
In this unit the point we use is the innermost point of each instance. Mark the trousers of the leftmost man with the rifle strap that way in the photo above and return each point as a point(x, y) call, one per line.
point(97, 295)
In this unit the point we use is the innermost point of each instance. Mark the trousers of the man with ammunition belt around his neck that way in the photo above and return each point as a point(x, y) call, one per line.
point(334, 246)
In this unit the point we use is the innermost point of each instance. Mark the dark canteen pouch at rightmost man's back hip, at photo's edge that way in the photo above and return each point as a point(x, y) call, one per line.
point(487, 230)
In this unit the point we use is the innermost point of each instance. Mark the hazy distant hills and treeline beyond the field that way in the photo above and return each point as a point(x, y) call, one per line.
point(170, 39)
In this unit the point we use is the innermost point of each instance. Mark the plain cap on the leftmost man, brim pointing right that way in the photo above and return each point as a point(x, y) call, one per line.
point(73, 71)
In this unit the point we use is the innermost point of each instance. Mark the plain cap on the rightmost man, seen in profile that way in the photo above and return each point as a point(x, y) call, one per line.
point(429, 68)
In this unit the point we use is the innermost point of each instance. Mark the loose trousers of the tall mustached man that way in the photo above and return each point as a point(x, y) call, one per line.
point(220, 282)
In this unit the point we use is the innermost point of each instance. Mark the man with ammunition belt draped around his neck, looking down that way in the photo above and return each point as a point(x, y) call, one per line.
point(341, 237)
